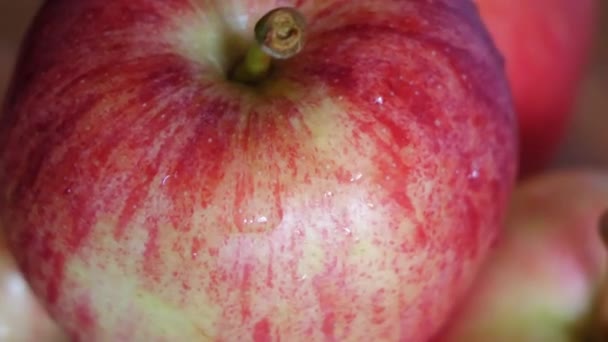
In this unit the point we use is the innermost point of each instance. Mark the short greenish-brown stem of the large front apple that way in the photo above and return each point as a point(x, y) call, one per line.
point(279, 34)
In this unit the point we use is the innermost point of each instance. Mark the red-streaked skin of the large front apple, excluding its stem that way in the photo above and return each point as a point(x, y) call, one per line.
point(350, 197)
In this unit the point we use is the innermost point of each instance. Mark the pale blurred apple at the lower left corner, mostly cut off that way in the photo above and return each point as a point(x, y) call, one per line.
point(22, 318)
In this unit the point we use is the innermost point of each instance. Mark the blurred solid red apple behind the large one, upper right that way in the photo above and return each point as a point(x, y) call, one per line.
point(546, 45)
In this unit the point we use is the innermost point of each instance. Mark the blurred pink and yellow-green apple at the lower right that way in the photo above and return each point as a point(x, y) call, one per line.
point(541, 282)
